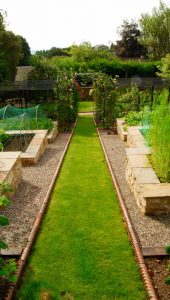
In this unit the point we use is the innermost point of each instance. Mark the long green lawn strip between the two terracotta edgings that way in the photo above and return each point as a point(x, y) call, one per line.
point(82, 248)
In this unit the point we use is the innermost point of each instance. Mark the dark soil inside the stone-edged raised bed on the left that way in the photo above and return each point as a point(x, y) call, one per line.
point(18, 142)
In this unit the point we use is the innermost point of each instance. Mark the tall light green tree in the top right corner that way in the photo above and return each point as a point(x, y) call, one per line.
point(155, 32)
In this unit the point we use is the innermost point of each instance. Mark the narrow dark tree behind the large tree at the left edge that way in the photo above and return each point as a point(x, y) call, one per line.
point(25, 52)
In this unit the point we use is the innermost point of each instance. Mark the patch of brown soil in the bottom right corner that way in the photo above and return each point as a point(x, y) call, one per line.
point(157, 267)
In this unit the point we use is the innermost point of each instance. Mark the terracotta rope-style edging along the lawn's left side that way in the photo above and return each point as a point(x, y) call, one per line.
point(37, 223)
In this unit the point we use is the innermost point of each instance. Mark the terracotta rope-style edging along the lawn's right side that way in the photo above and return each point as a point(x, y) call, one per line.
point(143, 268)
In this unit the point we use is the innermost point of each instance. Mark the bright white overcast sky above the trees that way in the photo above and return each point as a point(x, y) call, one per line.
point(61, 23)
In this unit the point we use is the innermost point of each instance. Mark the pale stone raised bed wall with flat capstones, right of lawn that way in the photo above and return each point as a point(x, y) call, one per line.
point(152, 197)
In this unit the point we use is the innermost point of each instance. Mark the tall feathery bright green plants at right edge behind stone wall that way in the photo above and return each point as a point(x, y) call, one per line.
point(159, 137)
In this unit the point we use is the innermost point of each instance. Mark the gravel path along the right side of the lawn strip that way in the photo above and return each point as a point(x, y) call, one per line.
point(152, 231)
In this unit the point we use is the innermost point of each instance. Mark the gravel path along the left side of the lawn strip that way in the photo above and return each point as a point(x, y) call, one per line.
point(30, 194)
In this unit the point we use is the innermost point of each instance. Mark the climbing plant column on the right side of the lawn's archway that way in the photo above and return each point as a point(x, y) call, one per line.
point(104, 96)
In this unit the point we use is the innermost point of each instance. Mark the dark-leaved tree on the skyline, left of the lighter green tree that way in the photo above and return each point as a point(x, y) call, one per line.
point(129, 46)
